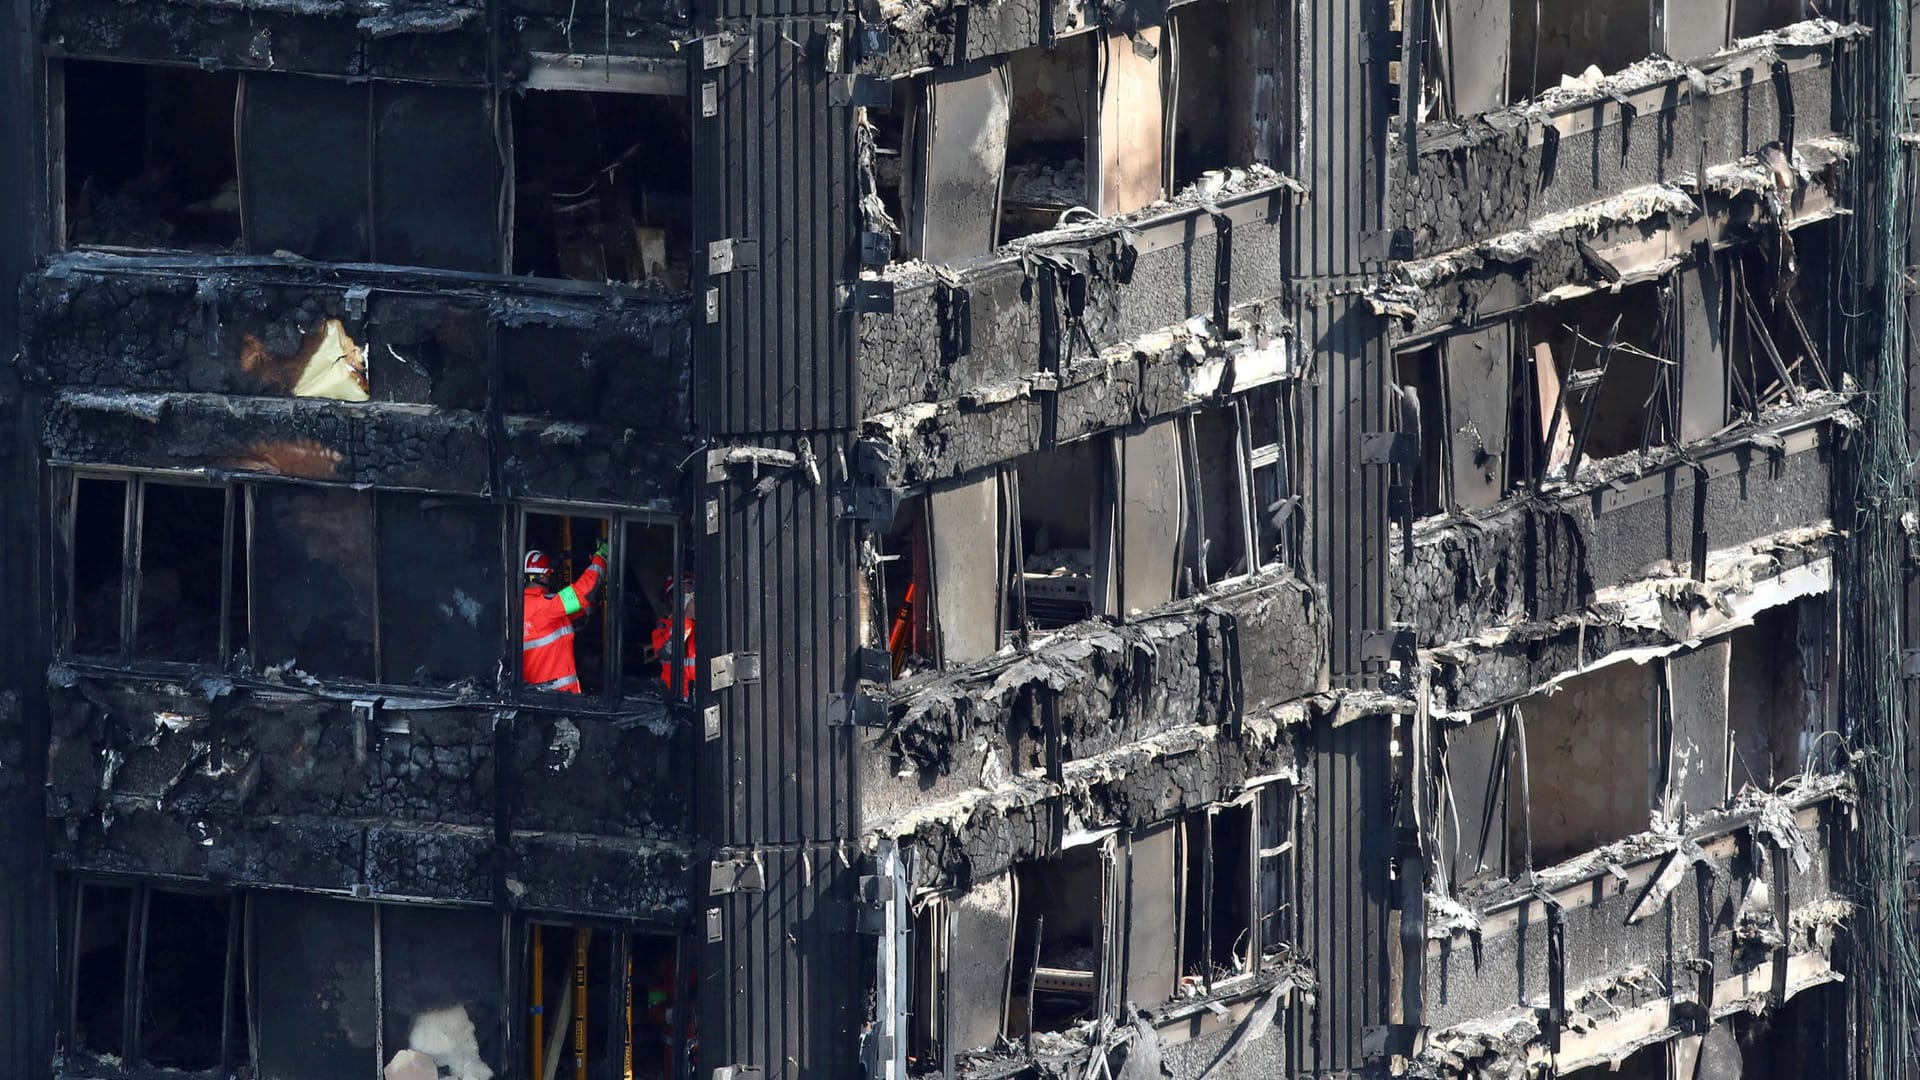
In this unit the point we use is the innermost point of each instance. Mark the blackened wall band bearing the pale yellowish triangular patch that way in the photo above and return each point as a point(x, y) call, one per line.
point(254, 328)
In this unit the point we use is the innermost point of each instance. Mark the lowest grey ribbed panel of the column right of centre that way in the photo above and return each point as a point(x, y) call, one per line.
point(1343, 889)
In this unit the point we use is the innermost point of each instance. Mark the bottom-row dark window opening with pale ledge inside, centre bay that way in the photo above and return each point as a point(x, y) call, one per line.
point(1061, 941)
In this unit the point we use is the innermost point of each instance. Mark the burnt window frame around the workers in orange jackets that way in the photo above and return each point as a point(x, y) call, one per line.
point(612, 599)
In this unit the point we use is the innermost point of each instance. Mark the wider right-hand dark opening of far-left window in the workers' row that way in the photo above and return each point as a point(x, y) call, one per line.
point(183, 535)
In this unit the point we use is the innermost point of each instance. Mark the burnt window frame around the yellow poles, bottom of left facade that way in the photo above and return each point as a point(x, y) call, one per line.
point(521, 998)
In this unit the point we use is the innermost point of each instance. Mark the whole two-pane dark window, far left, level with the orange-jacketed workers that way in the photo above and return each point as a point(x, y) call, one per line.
point(155, 570)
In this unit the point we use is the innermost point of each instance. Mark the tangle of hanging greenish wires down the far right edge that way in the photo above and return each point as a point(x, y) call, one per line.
point(1884, 962)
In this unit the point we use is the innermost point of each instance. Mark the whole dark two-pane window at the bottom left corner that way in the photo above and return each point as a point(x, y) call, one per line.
point(155, 979)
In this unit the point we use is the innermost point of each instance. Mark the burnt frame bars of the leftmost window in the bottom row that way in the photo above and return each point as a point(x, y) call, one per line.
point(235, 994)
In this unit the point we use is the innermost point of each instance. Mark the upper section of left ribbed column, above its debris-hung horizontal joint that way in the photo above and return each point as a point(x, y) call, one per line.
point(775, 233)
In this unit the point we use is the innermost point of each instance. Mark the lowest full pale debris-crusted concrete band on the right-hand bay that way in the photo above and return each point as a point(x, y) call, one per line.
point(1716, 935)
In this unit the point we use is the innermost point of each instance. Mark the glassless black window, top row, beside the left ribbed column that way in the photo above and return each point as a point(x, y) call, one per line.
point(604, 187)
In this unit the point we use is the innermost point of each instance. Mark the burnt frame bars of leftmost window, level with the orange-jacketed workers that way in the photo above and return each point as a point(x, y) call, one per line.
point(239, 508)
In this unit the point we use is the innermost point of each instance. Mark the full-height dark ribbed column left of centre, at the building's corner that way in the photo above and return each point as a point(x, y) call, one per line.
point(775, 374)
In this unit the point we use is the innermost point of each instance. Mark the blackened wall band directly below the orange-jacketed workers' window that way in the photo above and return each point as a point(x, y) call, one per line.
point(203, 779)
